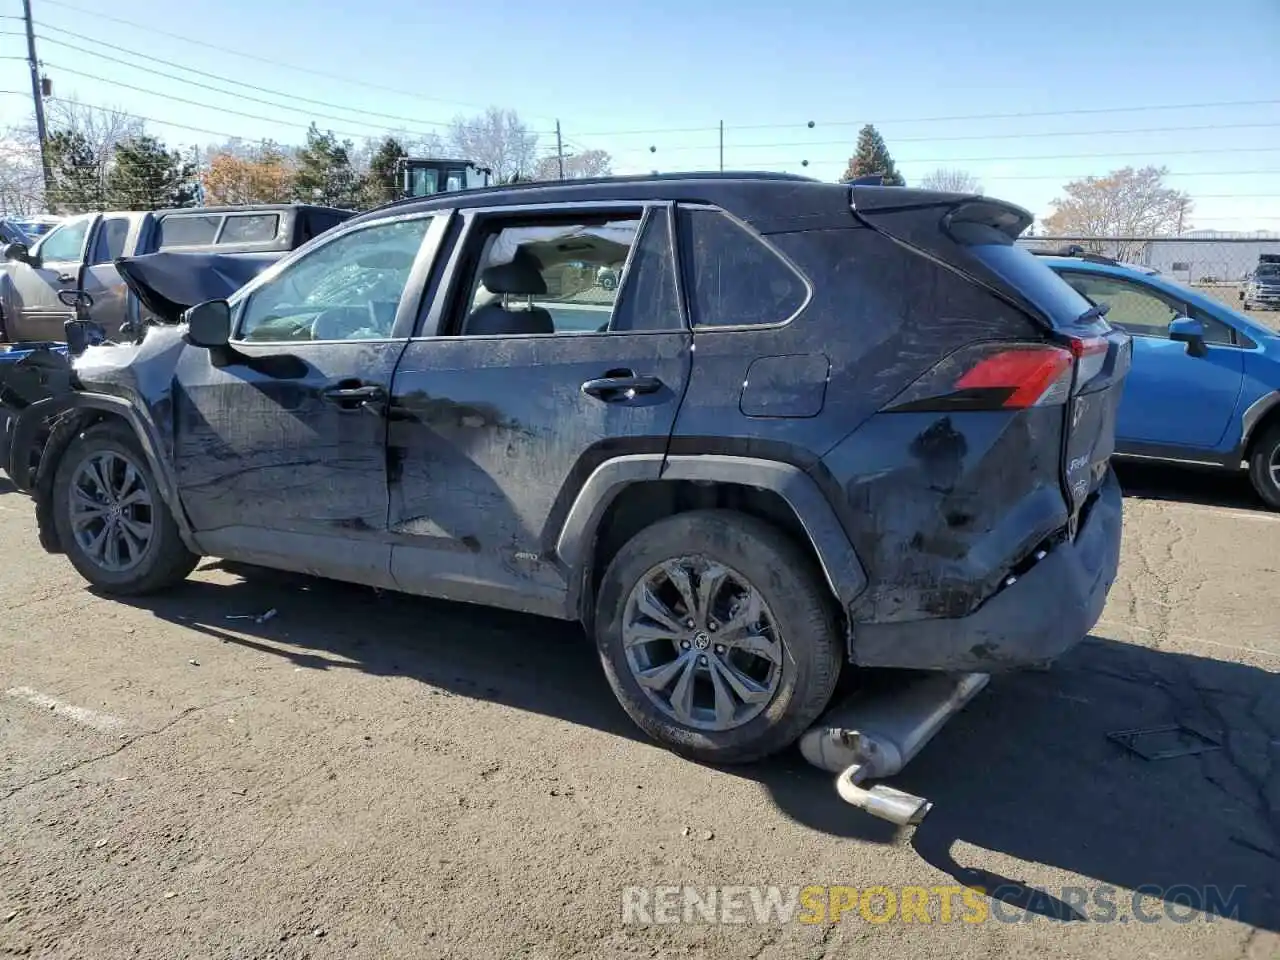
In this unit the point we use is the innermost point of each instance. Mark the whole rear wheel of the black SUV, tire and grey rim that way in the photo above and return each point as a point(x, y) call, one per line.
point(717, 637)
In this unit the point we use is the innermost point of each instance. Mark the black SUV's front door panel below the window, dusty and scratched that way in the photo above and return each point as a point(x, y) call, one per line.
point(275, 470)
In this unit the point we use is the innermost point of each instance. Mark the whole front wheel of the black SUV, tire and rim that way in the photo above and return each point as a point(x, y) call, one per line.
point(112, 520)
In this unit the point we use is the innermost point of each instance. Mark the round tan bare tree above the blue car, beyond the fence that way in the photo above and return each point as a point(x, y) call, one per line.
point(1126, 204)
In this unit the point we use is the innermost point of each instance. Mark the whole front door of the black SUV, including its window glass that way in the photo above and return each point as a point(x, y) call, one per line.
point(281, 447)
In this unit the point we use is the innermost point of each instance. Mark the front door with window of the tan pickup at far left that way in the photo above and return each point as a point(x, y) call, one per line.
point(36, 313)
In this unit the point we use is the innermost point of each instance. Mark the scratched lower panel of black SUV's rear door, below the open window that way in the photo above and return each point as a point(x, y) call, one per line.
point(488, 436)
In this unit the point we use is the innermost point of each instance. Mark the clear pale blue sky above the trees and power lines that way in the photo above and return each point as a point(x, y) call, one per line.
point(664, 74)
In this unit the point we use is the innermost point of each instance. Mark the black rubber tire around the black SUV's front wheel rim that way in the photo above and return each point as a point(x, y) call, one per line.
point(166, 560)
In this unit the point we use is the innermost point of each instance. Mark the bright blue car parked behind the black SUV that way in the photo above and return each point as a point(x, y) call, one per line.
point(1205, 386)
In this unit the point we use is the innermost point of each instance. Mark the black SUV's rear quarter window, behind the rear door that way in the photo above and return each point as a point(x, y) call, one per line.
point(735, 278)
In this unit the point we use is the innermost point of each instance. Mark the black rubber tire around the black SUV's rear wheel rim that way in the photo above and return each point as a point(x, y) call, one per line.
point(797, 597)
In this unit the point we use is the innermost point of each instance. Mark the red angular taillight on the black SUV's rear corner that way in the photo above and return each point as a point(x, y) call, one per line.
point(1004, 377)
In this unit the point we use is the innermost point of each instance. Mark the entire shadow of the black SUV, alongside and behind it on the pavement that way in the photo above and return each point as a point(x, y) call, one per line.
point(1026, 772)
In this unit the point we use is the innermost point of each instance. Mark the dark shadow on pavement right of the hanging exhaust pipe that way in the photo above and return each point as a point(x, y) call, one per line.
point(1028, 772)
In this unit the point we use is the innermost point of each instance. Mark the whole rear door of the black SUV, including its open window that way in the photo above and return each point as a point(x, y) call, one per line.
point(537, 377)
